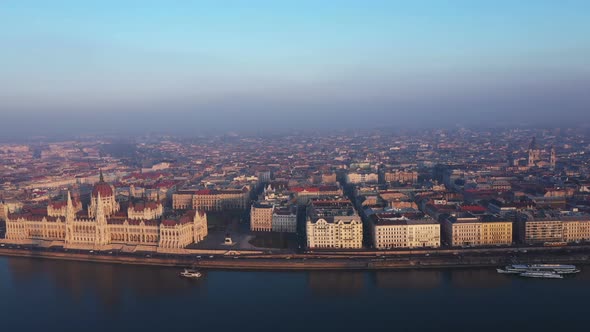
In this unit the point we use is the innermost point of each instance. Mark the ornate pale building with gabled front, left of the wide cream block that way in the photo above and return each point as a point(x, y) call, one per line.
point(333, 224)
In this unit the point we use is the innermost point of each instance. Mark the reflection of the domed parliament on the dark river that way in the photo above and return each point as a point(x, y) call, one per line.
point(109, 283)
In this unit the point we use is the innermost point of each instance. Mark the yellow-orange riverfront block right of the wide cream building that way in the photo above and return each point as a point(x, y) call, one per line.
point(469, 230)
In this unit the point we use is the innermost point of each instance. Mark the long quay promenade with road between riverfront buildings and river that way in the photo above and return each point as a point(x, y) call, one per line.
point(364, 260)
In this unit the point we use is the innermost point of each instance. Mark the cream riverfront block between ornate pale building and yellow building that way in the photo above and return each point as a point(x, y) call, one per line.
point(395, 231)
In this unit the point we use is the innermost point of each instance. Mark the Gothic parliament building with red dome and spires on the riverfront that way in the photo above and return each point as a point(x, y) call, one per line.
point(104, 226)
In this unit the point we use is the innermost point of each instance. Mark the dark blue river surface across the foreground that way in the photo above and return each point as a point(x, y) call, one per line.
point(69, 296)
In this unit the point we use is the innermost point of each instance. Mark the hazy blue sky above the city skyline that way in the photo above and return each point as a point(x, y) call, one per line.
point(230, 65)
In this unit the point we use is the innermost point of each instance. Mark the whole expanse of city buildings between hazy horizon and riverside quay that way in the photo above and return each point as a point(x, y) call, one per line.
point(301, 192)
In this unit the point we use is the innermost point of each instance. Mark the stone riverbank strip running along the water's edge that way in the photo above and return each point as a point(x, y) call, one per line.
point(316, 262)
